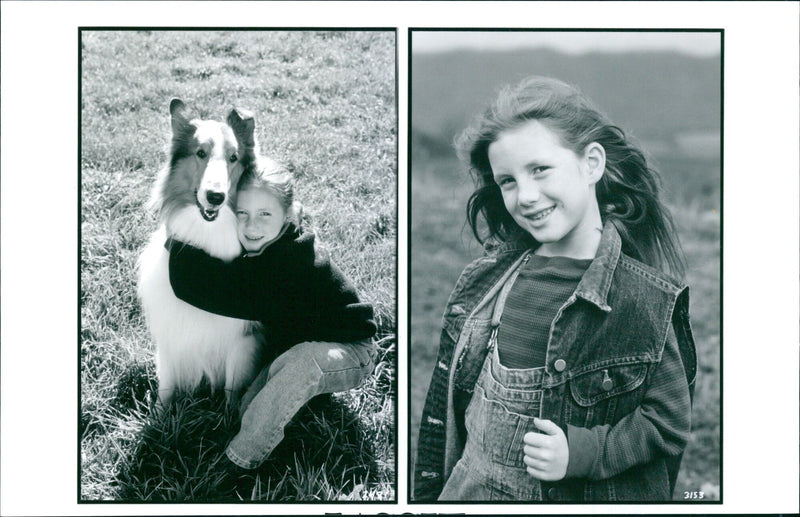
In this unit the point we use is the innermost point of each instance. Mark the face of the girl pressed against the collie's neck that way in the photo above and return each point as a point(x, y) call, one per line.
point(260, 217)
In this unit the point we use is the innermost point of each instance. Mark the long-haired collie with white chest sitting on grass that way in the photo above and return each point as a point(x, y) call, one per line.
point(194, 195)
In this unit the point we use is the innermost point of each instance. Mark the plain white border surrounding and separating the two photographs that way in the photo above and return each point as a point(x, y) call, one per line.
point(38, 375)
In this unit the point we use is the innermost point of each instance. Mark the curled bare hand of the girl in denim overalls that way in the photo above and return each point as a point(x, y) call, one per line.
point(546, 455)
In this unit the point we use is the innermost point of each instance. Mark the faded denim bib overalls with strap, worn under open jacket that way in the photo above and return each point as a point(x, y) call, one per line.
point(500, 413)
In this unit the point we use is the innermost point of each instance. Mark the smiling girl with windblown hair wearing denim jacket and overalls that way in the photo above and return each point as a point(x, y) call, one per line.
point(566, 363)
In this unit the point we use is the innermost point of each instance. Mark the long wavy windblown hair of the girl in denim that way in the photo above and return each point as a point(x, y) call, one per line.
point(628, 194)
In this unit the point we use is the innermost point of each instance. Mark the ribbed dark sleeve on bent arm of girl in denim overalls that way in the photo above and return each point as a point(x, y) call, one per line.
point(660, 426)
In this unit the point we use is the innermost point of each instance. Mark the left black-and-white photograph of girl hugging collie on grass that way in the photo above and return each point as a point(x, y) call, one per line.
point(238, 266)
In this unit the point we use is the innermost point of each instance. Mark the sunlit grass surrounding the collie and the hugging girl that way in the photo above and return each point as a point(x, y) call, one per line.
point(325, 105)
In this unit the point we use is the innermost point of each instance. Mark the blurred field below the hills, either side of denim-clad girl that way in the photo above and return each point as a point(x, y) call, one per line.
point(441, 246)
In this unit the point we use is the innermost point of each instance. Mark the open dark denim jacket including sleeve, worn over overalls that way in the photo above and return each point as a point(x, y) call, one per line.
point(605, 348)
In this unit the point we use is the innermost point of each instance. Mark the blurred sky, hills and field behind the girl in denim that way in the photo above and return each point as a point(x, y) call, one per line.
point(662, 88)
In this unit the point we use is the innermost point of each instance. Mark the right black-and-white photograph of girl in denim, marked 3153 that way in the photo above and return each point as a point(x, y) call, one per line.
point(565, 261)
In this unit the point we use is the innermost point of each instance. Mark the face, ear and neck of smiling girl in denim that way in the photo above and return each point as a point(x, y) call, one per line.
point(548, 189)
